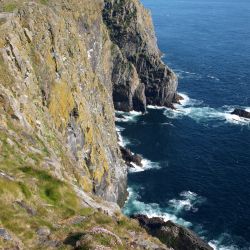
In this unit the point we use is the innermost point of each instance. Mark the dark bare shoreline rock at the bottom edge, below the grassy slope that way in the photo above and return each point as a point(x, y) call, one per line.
point(171, 234)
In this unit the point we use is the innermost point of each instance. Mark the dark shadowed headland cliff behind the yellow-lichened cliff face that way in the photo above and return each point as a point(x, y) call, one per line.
point(150, 81)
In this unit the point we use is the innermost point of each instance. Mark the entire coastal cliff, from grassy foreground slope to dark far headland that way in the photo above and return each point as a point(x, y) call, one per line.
point(65, 65)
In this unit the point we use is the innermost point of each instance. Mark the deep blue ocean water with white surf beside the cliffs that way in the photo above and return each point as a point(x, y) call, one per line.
point(197, 159)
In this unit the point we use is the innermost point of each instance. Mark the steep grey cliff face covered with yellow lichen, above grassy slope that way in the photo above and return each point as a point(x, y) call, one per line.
point(56, 85)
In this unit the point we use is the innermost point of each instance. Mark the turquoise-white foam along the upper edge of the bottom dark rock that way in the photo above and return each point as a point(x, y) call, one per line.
point(134, 206)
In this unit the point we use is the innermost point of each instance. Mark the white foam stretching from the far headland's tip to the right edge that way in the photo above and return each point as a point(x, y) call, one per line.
point(195, 110)
